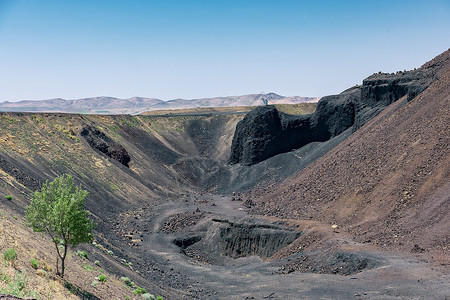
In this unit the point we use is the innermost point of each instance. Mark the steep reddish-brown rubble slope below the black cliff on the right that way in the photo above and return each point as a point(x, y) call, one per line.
point(387, 184)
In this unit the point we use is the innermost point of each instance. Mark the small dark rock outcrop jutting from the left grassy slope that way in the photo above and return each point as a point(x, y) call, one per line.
point(99, 141)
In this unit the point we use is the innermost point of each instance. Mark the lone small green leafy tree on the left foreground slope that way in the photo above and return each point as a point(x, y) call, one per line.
point(58, 209)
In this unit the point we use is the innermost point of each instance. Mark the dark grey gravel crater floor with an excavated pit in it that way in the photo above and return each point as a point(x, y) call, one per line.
point(185, 244)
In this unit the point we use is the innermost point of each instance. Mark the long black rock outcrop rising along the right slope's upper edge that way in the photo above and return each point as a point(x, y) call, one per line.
point(265, 132)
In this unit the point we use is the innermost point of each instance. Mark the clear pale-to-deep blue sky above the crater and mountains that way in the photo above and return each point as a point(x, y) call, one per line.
point(188, 49)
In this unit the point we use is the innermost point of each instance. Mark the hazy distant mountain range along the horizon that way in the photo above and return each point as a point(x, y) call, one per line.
point(136, 105)
